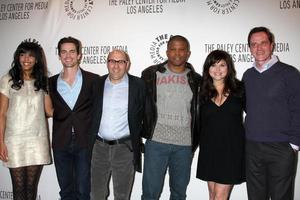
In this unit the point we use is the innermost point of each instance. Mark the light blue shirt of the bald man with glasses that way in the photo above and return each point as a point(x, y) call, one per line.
point(114, 120)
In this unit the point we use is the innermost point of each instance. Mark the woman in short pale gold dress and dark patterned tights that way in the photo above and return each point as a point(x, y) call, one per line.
point(24, 104)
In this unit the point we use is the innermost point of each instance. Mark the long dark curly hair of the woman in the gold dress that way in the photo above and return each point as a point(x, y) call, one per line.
point(39, 72)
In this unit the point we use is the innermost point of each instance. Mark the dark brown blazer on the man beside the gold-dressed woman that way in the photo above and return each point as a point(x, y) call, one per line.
point(80, 117)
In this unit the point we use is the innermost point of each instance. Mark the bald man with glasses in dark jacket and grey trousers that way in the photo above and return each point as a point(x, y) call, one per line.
point(117, 128)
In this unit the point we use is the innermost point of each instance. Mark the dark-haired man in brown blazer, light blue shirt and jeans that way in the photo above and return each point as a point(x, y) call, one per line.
point(73, 93)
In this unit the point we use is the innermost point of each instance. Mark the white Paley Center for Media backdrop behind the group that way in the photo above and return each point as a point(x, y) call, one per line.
point(142, 28)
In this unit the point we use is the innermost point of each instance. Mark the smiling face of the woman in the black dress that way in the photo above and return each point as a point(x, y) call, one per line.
point(218, 71)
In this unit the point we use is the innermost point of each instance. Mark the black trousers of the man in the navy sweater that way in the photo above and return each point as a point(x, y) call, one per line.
point(270, 170)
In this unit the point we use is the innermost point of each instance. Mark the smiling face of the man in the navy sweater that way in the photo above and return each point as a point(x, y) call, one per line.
point(261, 48)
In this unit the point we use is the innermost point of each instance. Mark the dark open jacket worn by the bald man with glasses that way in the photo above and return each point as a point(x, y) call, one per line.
point(136, 103)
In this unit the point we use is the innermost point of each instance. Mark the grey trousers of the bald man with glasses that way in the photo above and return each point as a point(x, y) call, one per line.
point(116, 162)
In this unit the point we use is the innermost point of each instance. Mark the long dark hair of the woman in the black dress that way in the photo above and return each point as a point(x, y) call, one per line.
point(231, 84)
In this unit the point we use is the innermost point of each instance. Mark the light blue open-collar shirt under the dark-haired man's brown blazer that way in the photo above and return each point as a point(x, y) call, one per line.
point(68, 92)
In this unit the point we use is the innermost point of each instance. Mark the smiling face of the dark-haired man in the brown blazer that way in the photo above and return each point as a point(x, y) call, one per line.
point(69, 56)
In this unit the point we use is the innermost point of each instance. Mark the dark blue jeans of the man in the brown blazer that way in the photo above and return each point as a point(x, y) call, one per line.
point(73, 172)
